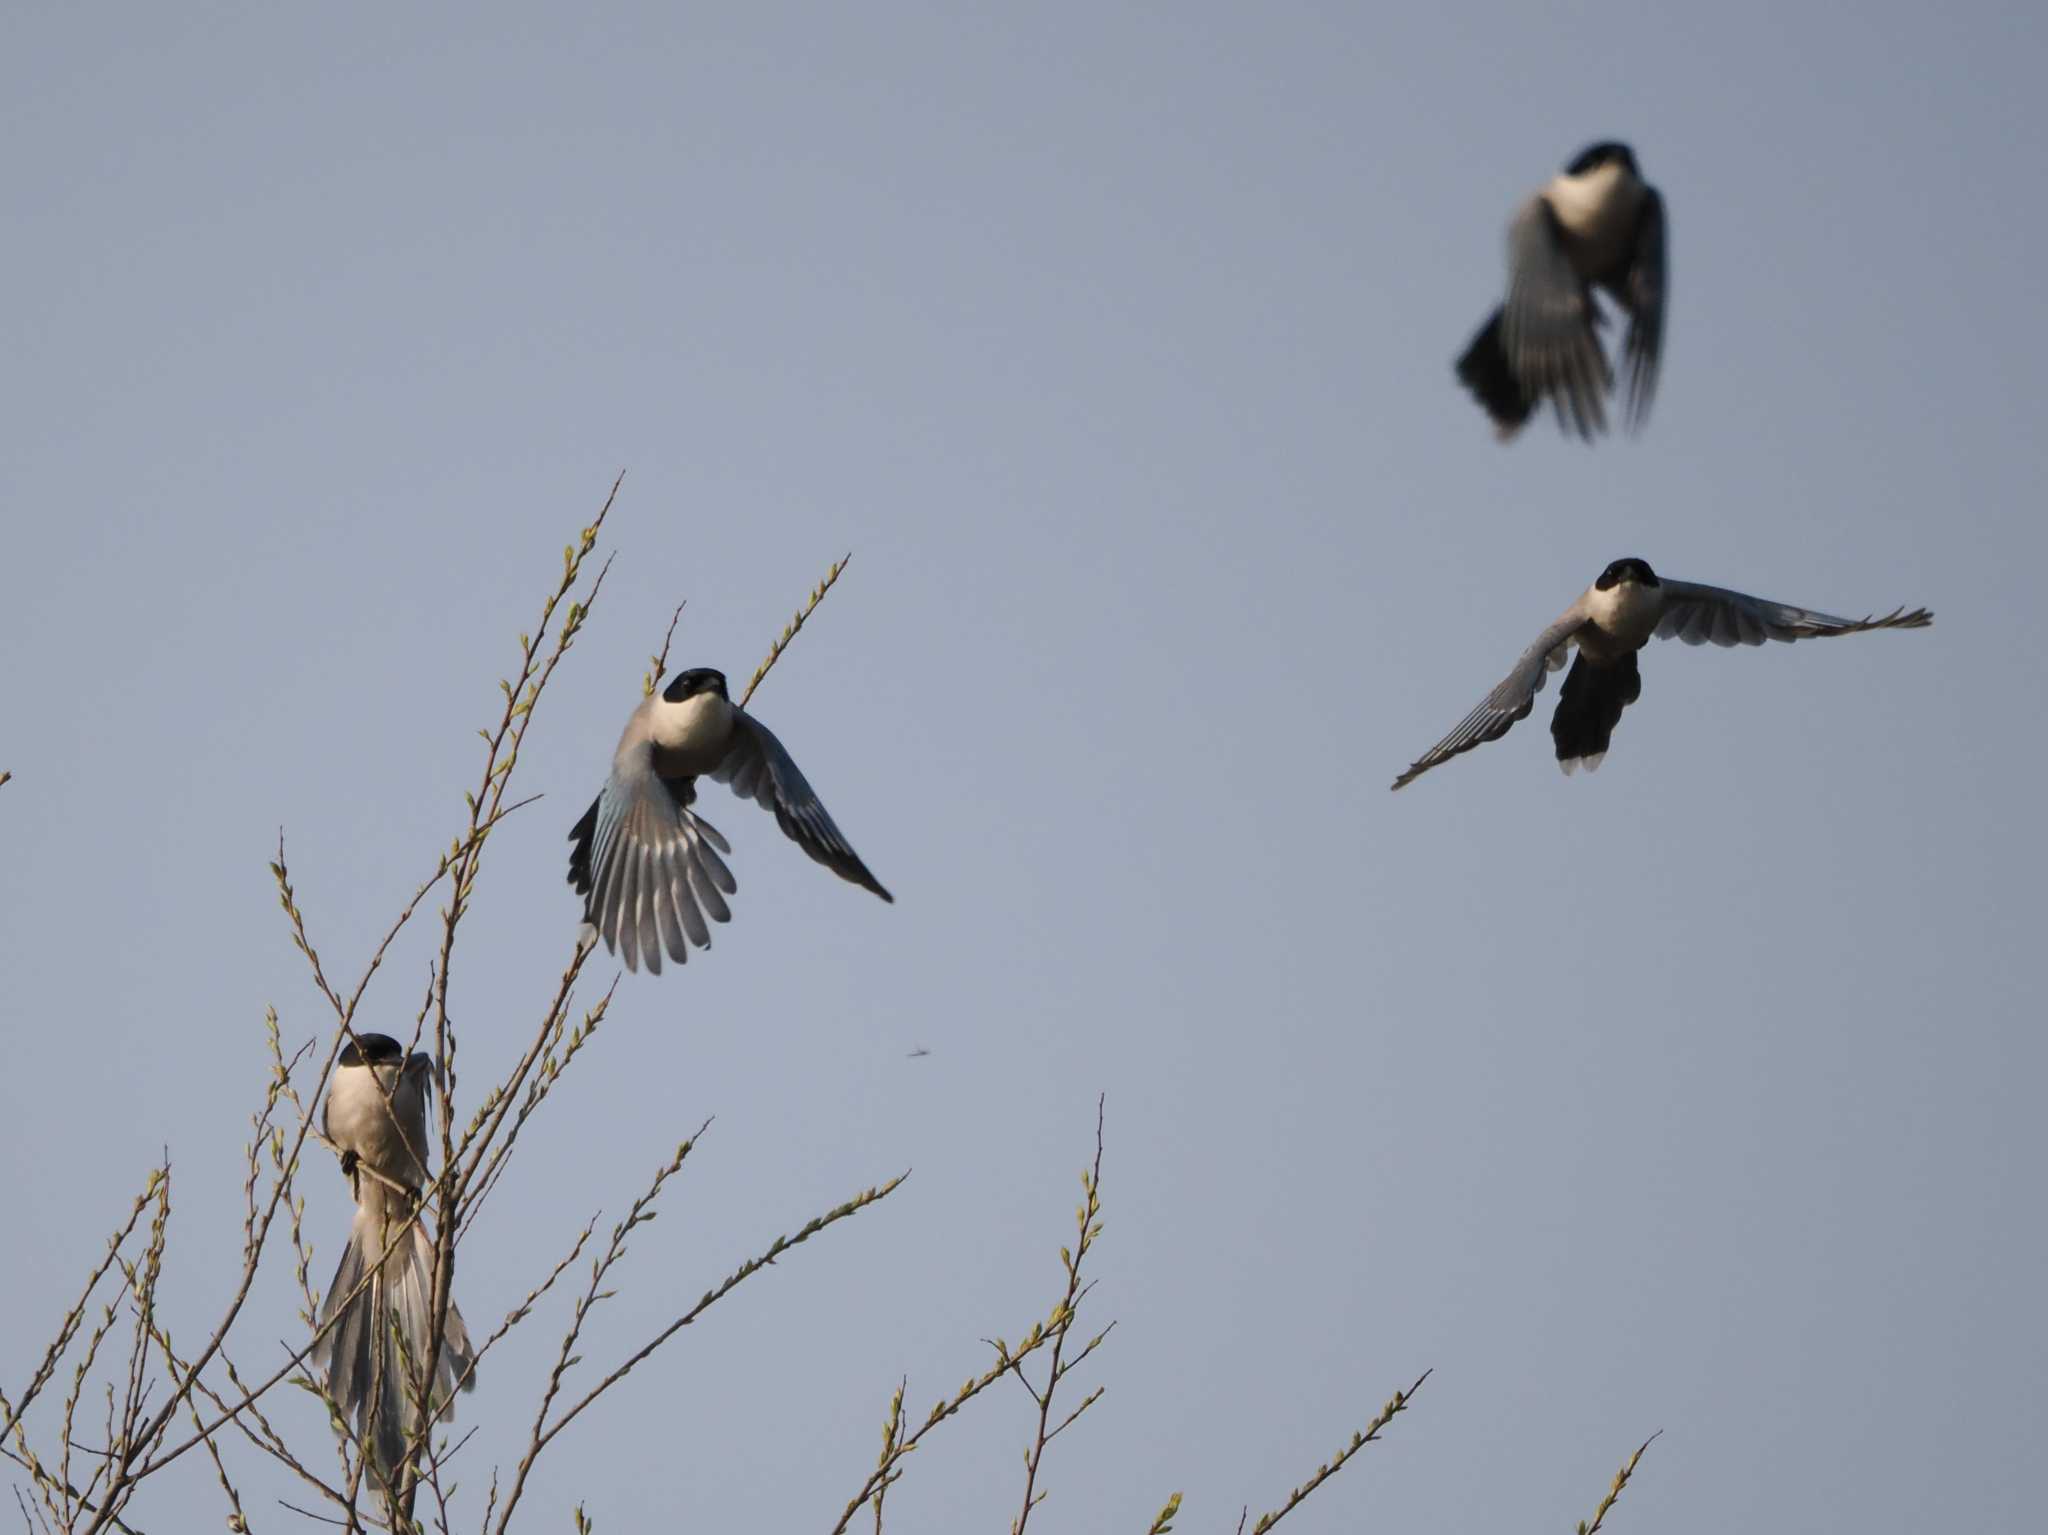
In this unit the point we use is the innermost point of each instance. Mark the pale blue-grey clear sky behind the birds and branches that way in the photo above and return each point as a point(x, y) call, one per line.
point(1699, 1096)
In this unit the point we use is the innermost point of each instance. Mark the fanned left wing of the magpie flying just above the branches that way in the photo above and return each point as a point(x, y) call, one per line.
point(648, 867)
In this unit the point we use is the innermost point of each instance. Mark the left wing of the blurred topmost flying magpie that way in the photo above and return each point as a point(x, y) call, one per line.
point(1549, 324)
